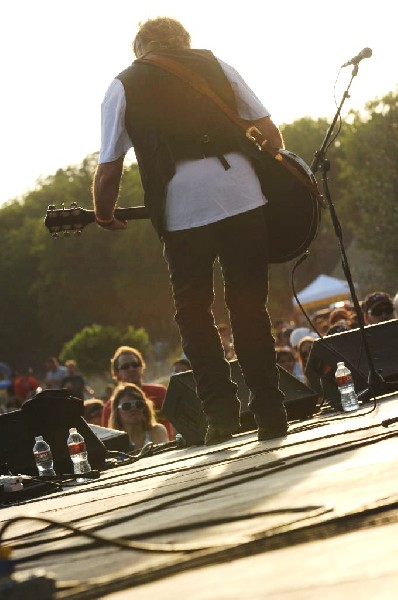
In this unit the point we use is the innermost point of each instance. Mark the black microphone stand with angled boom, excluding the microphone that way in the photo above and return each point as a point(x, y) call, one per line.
point(377, 386)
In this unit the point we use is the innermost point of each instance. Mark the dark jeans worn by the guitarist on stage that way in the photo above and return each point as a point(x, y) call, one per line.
point(240, 244)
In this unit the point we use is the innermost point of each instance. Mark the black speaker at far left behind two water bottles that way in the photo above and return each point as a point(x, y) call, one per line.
point(50, 413)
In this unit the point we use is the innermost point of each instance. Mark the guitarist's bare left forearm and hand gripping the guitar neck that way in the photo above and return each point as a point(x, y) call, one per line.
point(105, 193)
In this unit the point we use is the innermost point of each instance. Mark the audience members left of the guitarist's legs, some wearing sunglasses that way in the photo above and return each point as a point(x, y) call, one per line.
point(128, 403)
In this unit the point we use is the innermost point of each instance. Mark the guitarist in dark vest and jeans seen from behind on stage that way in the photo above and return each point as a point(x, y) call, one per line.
point(206, 203)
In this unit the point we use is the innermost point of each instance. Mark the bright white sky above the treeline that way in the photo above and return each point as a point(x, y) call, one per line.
point(59, 57)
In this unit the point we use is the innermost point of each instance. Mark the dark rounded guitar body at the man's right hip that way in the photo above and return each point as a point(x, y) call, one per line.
point(293, 210)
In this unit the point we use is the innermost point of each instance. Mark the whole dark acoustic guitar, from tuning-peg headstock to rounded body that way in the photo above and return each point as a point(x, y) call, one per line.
point(292, 211)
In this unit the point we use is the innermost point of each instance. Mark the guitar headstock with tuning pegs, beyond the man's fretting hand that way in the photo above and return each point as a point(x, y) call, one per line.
point(65, 221)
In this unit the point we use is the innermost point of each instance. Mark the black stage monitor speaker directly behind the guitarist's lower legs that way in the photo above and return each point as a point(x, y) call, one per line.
point(183, 408)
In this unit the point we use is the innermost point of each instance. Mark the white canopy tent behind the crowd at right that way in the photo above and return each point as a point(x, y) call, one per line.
point(323, 291)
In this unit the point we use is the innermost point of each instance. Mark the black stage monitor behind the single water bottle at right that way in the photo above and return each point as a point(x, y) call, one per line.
point(348, 347)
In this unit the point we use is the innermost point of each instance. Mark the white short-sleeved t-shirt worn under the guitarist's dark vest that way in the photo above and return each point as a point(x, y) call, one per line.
point(201, 191)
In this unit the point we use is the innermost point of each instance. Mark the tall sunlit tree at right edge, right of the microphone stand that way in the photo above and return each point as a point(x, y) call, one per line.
point(369, 180)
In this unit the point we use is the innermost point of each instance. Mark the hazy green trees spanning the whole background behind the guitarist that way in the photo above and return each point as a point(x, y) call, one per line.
point(52, 291)
